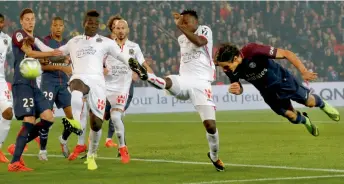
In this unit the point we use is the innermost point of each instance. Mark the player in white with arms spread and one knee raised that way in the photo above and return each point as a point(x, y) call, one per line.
point(87, 52)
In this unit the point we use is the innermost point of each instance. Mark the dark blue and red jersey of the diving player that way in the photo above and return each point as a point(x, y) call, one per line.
point(259, 68)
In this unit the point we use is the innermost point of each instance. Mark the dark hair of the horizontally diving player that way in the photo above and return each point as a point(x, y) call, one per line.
point(226, 53)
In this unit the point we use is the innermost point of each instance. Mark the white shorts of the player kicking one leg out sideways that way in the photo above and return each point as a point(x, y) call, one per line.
point(198, 91)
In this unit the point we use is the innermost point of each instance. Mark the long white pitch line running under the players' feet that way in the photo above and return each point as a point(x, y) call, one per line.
point(207, 163)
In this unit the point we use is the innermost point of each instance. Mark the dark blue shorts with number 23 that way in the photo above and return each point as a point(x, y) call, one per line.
point(28, 101)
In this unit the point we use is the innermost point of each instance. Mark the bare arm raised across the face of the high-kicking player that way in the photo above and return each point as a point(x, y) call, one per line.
point(195, 39)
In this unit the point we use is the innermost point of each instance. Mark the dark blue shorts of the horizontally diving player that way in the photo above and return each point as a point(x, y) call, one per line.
point(279, 97)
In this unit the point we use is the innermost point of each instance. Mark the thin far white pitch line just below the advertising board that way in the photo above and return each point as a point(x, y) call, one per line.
point(221, 121)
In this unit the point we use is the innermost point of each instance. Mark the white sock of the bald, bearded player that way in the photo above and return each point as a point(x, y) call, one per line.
point(116, 118)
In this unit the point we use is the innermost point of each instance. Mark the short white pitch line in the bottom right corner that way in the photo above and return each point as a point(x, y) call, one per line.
point(268, 179)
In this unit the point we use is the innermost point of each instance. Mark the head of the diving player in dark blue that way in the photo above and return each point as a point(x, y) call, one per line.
point(228, 57)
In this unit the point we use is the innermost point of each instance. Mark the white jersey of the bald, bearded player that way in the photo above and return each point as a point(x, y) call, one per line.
point(120, 75)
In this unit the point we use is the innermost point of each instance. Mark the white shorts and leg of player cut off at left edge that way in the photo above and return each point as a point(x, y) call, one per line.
point(7, 115)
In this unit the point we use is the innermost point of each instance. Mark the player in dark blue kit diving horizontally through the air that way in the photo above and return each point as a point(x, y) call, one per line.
point(254, 63)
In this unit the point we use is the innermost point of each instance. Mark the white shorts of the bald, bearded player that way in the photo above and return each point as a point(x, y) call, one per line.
point(117, 99)
